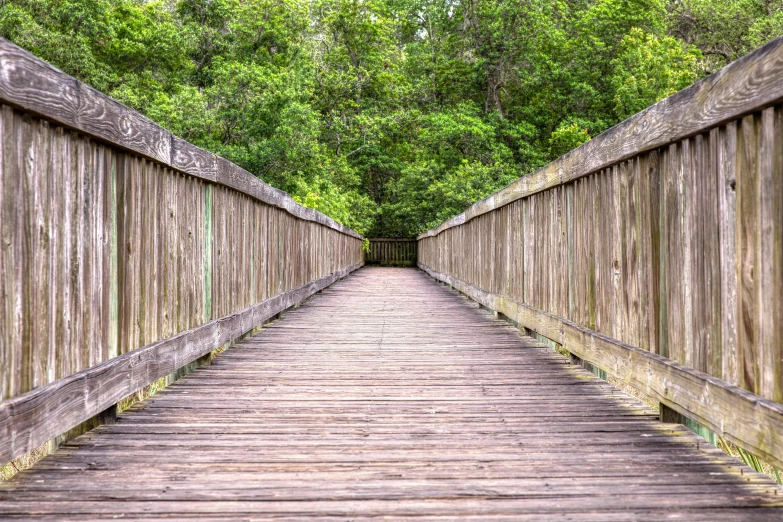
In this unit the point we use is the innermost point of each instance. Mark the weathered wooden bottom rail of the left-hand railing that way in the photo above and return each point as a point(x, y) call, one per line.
point(32, 418)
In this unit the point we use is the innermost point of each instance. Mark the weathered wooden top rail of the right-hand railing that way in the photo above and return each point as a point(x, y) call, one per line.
point(746, 85)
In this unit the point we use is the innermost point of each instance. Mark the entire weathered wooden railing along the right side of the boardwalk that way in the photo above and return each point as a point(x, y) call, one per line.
point(653, 251)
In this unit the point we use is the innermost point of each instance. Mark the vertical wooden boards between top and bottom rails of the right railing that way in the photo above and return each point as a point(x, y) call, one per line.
point(677, 251)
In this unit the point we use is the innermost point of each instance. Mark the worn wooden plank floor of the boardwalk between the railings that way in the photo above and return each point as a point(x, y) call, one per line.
point(390, 396)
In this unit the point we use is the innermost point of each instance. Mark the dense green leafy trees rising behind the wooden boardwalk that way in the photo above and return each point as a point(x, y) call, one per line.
point(389, 115)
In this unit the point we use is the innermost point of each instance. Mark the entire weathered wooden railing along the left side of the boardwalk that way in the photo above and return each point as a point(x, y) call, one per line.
point(127, 252)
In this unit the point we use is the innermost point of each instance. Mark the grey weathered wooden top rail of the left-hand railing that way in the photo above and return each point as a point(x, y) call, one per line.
point(37, 88)
